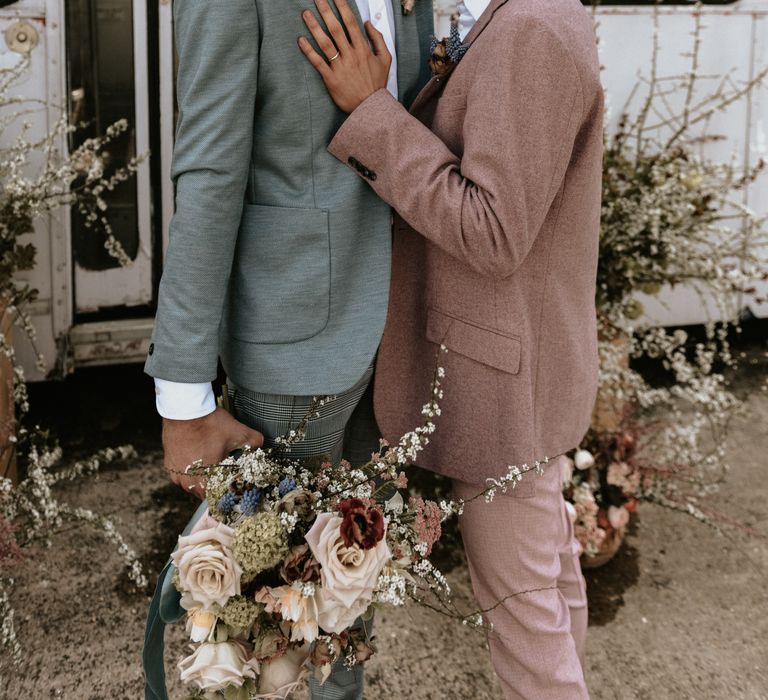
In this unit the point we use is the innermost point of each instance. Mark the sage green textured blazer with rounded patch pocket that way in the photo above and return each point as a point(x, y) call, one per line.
point(279, 255)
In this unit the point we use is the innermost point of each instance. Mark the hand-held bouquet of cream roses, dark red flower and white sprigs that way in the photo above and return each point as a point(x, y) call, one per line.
point(289, 555)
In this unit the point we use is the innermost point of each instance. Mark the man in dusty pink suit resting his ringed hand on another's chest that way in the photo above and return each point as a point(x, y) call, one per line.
point(495, 178)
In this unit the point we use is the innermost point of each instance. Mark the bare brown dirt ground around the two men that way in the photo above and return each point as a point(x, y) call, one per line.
point(682, 612)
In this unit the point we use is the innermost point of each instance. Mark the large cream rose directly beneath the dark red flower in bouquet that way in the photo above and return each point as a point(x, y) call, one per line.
point(348, 574)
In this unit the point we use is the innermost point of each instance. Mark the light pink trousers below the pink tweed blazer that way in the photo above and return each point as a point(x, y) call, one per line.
point(522, 543)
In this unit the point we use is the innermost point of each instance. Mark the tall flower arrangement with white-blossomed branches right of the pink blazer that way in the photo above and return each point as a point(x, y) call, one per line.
point(670, 216)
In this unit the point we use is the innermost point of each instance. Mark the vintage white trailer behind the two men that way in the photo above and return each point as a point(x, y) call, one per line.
point(107, 59)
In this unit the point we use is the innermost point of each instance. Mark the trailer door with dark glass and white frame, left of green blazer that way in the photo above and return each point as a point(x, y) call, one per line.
point(108, 52)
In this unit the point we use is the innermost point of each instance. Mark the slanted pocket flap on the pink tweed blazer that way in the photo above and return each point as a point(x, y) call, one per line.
point(483, 345)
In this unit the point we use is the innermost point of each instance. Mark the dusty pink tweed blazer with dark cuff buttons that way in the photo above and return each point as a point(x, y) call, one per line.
point(495, 177)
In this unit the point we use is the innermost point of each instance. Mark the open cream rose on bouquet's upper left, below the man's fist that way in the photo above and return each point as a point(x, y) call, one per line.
point(208, 572)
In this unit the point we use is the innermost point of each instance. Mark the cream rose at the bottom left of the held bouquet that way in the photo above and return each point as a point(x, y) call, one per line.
point(217, 665)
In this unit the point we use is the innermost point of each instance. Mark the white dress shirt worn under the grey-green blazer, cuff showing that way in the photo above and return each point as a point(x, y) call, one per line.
point(182, 401)
